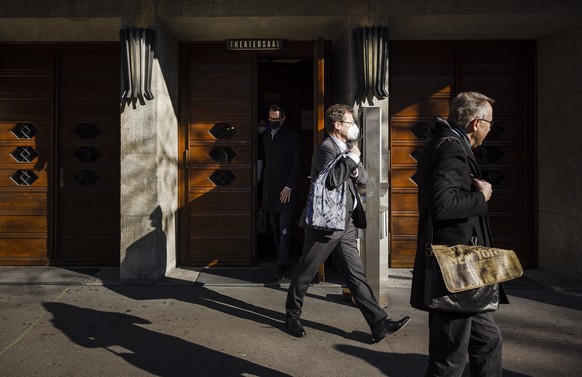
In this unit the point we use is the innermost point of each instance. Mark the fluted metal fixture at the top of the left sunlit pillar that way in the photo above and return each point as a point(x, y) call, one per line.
point(137, 55)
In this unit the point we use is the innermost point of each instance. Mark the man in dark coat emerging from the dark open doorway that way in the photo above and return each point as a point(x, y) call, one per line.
point(282, 174)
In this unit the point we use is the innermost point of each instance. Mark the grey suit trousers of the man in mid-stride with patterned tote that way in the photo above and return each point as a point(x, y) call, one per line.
point(316, 248)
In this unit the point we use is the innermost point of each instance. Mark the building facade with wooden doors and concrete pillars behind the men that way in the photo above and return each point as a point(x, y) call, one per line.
point(91, 175)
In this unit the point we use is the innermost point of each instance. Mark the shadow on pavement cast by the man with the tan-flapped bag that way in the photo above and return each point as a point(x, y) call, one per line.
point(401, 364)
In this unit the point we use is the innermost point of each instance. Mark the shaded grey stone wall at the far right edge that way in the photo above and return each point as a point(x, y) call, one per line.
point(559, 153)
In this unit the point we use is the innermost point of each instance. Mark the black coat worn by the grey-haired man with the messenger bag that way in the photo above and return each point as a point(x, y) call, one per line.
point(447, 200)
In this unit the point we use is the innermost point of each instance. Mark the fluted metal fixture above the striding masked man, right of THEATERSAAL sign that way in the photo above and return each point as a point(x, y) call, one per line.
point(371, 52)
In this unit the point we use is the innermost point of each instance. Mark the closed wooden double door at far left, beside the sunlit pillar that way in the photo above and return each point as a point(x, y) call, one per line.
point(59, 154)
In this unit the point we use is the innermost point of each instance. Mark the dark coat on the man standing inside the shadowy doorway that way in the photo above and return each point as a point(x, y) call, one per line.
point(283, 167)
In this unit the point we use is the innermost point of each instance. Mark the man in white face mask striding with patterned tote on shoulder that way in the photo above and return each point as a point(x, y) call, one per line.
point(341, 244)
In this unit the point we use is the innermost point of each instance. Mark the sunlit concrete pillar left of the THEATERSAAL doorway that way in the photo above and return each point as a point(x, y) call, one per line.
point(149, 173)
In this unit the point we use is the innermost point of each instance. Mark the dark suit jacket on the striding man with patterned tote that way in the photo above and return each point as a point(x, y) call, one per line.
point(340, 173)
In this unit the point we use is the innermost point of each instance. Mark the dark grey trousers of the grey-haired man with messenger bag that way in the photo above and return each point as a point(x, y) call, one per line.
point(452, 336)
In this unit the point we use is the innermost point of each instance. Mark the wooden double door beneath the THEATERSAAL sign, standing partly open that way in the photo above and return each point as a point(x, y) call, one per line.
point(223, 95)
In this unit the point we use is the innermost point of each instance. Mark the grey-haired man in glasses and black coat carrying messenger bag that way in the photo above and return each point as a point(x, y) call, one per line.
point(452, 200)
